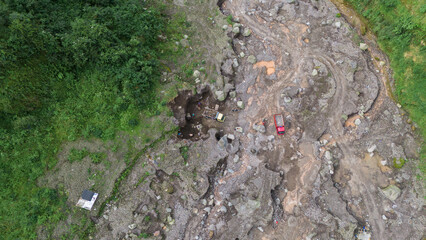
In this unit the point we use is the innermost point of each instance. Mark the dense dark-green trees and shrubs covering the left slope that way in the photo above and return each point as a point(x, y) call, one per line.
point(72, 70)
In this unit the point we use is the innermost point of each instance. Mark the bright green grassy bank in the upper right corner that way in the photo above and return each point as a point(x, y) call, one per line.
point(400, 27)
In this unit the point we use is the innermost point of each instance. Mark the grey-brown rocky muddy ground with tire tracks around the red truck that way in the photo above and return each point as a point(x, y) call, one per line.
point(333, 175)
